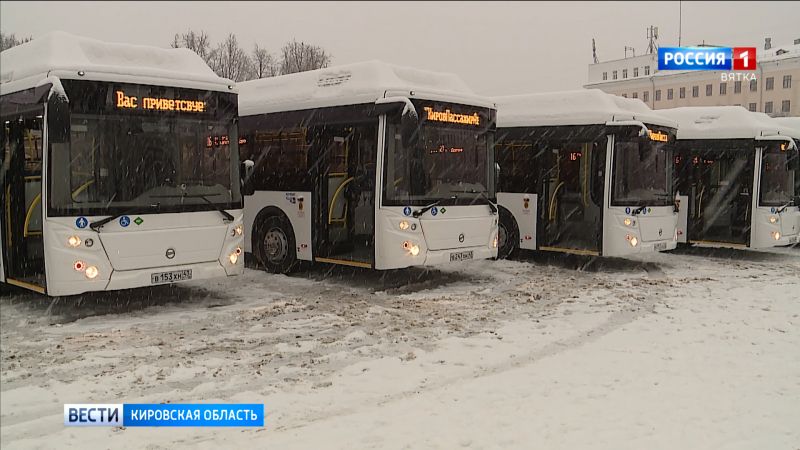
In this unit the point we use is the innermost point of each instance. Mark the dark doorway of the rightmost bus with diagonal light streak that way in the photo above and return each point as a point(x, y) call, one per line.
point(722, 196)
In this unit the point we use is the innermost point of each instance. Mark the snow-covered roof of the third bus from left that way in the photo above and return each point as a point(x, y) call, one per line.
point(580, 107)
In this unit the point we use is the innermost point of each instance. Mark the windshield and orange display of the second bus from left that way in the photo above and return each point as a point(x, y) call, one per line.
point(450, 162)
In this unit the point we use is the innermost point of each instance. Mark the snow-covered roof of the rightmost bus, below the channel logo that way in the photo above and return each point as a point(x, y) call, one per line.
point(722, 122)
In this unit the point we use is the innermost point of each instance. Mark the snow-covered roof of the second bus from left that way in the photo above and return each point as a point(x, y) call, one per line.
point(352, 84)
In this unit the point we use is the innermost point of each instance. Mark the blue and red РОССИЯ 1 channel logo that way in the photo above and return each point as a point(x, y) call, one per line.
point(707, 58)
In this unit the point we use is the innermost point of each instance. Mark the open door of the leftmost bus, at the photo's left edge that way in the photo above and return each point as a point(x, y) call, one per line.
point(23, 244)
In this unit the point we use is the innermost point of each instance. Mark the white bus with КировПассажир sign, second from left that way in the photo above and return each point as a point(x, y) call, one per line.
point(369, 165)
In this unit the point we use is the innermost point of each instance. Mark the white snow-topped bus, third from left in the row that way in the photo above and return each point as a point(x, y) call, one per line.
point(584, 172)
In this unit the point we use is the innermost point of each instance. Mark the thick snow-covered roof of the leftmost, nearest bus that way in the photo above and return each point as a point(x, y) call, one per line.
point(63, 55)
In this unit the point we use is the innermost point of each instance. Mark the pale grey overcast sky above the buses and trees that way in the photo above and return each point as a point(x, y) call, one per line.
point(497, 48)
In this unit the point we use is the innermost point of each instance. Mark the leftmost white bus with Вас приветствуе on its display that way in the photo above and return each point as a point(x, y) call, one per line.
point(120, 167)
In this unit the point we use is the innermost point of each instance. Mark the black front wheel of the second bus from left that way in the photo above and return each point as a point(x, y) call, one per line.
point(276, 240)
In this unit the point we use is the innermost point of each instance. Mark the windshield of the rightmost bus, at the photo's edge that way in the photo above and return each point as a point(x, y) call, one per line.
point(779, 177)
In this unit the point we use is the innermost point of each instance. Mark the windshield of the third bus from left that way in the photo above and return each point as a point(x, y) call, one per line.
point(642, 174)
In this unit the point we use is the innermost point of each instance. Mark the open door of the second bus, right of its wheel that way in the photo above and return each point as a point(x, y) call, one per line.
point(347, 195)
